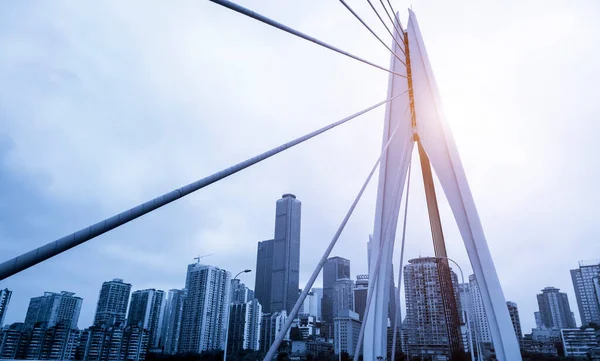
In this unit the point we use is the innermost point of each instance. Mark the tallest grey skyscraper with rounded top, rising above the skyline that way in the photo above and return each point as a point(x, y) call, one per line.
point(286, 254)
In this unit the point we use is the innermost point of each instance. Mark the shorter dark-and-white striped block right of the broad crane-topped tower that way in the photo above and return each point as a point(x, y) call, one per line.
point(244, 326)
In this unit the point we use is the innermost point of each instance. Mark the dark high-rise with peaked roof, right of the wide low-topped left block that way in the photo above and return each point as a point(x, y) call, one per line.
point(112, 302)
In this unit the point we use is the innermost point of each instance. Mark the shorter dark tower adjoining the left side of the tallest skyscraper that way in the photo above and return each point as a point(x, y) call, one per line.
point(264, 274)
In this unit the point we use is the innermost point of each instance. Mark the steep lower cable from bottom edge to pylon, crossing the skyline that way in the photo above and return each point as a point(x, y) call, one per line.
point(315, 274)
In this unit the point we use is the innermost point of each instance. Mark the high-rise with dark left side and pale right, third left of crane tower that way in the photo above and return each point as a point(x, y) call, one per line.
point(146, 311)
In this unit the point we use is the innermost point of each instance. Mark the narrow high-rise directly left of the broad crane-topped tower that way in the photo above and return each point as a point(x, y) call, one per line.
point(172, 321)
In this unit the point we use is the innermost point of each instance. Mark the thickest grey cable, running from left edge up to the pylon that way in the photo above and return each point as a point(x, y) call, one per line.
point(63, 244)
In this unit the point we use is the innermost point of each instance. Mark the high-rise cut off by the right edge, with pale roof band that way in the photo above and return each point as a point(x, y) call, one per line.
point(585, 279)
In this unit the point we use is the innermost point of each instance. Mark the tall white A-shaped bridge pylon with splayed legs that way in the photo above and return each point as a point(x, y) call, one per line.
point(434, 134)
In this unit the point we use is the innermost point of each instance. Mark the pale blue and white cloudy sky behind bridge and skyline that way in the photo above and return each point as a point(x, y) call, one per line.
point(105, 104)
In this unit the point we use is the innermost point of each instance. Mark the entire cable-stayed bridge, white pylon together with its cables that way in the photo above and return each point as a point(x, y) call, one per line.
point(413, 118)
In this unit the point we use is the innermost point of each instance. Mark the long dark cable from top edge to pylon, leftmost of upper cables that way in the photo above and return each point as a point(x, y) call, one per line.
point(242, 10)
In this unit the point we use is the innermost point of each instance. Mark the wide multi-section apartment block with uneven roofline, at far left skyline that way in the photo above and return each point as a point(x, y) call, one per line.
point(52, 308)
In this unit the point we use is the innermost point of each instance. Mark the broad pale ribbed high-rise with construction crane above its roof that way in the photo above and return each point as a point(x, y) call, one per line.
point(205, 309)
